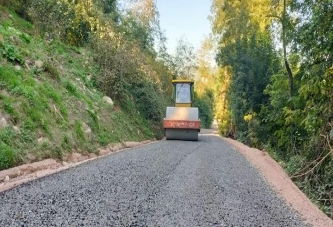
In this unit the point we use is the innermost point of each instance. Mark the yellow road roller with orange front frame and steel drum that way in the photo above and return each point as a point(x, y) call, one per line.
point(182, 120)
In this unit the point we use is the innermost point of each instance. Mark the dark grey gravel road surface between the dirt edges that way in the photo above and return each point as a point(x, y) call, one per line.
point(167, 183)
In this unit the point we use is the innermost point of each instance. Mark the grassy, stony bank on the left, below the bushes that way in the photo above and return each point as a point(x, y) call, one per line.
point(55, 108)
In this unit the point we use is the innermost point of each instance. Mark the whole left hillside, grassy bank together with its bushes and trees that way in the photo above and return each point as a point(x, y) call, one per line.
point(60, 63)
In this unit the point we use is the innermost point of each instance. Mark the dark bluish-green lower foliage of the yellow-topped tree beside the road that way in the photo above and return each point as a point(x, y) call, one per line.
point(251, 61)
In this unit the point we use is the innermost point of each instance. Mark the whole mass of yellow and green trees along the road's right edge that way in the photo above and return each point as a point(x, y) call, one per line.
point(275, 85)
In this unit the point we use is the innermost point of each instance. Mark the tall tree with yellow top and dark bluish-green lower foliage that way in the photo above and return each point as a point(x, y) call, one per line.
point(245, 48)
